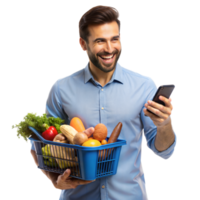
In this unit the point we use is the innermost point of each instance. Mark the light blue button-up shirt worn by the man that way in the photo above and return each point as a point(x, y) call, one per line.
point(122, 99)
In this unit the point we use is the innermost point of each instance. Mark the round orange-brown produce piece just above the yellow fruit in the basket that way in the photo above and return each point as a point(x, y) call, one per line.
point(100, 132)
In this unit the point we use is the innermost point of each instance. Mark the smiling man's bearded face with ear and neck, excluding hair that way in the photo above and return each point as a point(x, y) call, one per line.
point(103, 49)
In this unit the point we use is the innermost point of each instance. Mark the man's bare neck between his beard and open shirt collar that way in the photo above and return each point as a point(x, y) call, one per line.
point(102, 77)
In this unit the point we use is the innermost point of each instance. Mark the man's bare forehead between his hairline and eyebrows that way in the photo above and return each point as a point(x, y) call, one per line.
point(106, 30)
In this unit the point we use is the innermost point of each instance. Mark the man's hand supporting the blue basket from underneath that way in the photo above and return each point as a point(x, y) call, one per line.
point(65, 182)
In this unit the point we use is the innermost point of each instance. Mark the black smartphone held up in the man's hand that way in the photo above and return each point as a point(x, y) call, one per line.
point(165, 90)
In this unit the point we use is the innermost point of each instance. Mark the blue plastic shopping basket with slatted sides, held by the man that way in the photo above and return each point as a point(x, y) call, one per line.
point(86, 163)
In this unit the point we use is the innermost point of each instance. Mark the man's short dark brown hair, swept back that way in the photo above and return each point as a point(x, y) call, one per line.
point(97, 15)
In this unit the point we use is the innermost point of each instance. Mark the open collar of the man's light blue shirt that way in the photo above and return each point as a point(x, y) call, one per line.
point(117, 75)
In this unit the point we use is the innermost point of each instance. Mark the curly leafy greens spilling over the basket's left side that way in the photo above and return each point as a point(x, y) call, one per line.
point(36, 120)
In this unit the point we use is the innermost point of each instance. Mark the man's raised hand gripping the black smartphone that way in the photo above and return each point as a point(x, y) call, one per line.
point(162, 114)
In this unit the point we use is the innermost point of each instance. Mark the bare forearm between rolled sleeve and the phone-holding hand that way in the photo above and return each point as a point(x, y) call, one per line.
point(165, 137)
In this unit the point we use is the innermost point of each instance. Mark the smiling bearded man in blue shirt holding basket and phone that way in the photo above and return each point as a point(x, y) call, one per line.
point(106, 92)
